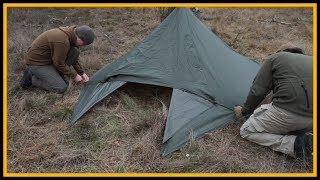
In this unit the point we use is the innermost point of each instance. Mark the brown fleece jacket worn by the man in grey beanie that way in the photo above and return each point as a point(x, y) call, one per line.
point(51, 47)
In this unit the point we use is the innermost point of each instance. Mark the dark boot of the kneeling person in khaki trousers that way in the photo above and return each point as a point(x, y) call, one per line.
point(303, 147)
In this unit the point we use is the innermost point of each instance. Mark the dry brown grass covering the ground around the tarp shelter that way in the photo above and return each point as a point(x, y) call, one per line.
point(123, 133)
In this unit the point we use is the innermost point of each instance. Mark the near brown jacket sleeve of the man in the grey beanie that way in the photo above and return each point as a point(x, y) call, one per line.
point(59, 55)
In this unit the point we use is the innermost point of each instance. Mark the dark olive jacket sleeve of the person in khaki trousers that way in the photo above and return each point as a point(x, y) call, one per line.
point(261, 87)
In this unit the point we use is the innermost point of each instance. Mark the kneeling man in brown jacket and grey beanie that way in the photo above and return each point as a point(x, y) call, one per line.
point(51, 55)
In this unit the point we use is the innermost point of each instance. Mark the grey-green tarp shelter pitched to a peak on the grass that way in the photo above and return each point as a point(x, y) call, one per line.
point(207, 76)
